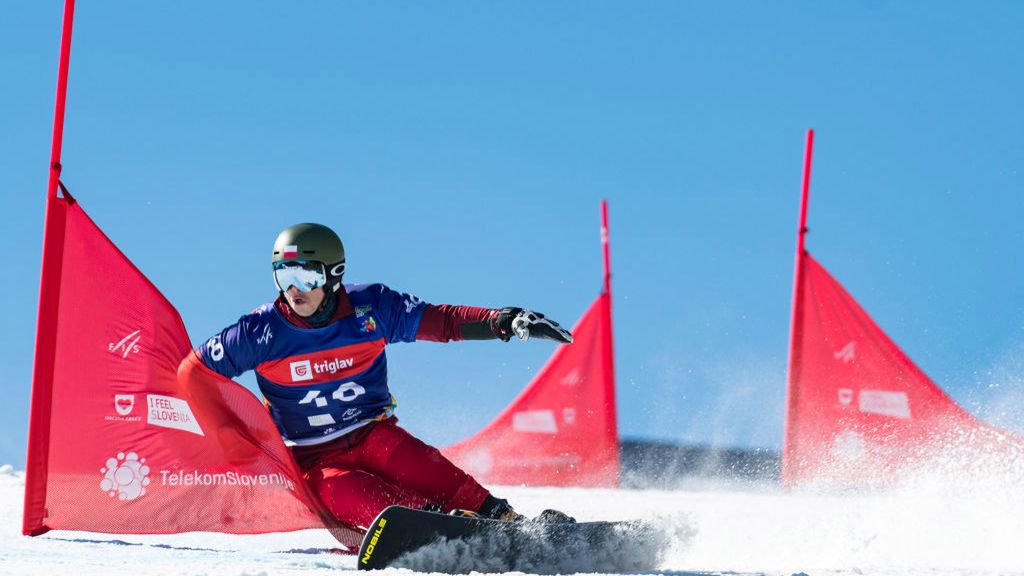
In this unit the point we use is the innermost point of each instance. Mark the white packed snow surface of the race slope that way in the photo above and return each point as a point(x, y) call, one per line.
point(927, 529)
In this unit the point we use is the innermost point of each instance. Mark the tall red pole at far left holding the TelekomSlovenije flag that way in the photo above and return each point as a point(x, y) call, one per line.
point(50, 296)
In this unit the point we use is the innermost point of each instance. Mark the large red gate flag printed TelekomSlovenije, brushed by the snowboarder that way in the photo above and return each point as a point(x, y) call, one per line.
point(116, 444)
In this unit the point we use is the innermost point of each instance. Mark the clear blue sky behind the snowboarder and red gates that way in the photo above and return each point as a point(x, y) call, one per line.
point(461, 150)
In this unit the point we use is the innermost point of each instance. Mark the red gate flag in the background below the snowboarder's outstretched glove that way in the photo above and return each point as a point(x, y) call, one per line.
point(562, 430)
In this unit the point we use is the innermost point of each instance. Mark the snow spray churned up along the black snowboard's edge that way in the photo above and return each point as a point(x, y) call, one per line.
point(534, 551)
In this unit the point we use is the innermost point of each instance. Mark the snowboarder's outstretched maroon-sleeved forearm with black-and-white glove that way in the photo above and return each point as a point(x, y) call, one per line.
point(446, 323)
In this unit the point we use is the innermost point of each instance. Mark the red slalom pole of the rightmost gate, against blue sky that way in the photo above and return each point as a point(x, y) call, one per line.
point(795, 360)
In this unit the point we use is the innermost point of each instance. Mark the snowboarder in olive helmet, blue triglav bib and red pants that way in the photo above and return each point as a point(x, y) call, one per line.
point(319, 356)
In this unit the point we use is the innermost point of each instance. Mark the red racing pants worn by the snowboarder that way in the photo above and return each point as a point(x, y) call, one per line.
point(381, 465)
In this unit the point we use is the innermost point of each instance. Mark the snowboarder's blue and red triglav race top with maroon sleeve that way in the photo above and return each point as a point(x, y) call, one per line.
point(321, 384)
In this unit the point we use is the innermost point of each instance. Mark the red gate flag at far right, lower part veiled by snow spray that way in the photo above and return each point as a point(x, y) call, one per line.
point(861, 413)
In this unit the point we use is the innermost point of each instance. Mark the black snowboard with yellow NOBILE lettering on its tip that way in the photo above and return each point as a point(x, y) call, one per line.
point(428, 542)
